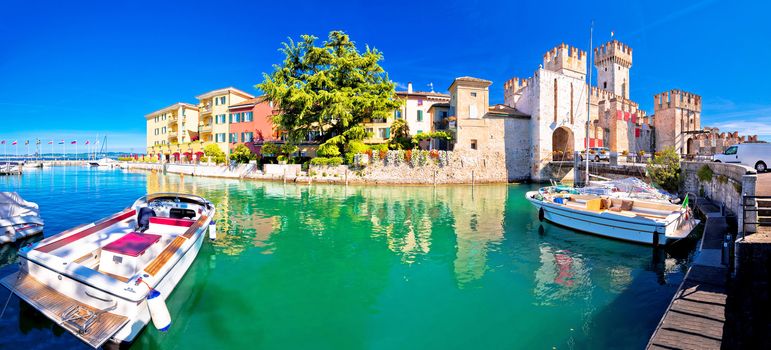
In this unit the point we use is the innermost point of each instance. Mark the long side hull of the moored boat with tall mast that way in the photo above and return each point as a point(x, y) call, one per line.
point(603, 224)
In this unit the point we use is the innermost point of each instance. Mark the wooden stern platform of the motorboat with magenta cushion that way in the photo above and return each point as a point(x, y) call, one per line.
point(56, 305)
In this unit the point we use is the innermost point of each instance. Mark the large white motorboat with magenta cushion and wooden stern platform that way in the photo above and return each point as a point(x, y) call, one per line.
point(106, 280)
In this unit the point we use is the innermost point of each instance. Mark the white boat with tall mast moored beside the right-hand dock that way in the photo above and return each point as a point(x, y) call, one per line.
point(634, 220)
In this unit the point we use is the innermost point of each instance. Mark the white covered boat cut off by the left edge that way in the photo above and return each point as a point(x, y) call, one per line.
point(18, 218)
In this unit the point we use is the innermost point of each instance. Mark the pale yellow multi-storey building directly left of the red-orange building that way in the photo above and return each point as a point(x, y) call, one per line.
point(214, 123)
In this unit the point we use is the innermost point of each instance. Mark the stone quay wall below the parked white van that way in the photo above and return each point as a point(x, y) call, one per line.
point(729, 182)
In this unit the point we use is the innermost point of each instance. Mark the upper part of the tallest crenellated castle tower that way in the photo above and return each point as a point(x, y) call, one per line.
point(613, 61)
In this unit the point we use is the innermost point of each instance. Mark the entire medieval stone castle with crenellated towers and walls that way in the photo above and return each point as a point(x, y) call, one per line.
point(544, 117)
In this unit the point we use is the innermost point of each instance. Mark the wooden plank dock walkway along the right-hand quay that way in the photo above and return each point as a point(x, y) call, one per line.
point(696, 317)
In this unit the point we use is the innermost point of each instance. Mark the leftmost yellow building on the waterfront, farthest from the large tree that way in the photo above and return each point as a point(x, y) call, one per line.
point(171, 125)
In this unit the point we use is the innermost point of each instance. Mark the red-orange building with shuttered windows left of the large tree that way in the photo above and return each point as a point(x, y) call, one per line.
point(250, 121)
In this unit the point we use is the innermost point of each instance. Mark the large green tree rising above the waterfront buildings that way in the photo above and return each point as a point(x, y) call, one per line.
point(329, 88)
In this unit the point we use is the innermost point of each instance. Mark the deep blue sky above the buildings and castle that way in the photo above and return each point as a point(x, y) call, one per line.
point(74, 70)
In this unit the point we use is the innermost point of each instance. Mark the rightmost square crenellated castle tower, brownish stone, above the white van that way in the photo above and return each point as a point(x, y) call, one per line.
point(677, 113)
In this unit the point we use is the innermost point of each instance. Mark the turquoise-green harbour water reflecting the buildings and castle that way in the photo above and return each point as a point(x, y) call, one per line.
point(334, 267)
